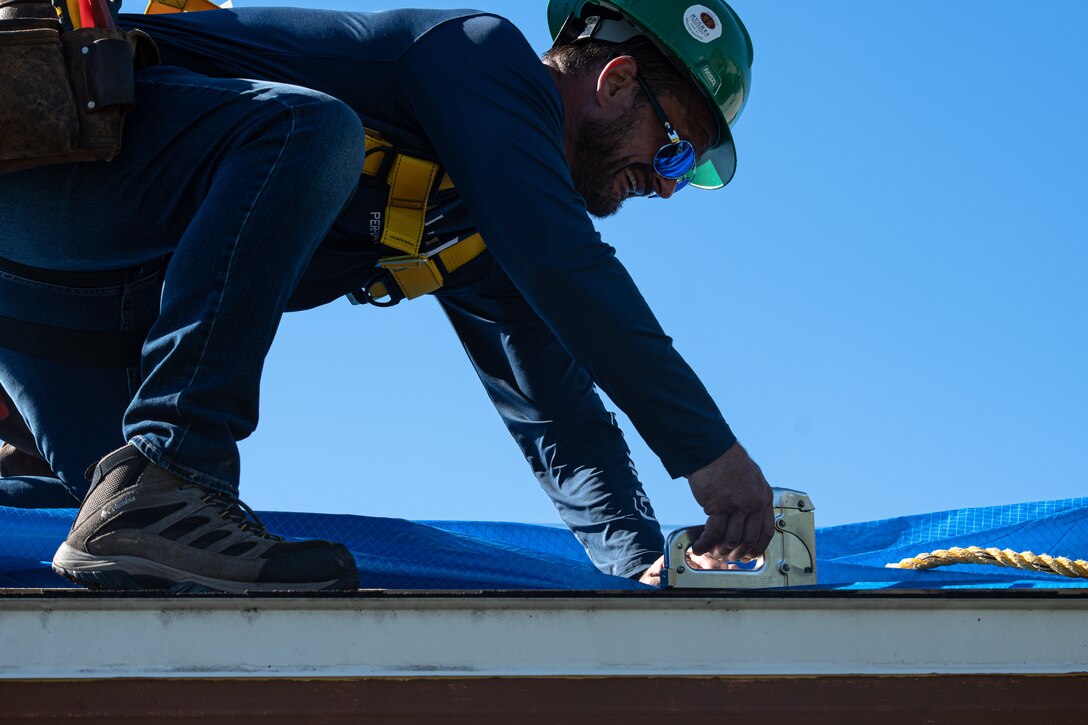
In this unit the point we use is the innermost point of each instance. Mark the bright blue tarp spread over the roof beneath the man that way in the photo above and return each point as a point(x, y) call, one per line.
point(399, 555)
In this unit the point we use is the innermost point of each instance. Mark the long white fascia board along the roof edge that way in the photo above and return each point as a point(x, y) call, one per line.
point(525, 636)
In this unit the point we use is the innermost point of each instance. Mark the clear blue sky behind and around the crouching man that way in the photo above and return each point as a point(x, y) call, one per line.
point(888, 303)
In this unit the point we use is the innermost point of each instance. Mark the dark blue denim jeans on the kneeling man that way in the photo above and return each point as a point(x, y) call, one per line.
point(222, 192)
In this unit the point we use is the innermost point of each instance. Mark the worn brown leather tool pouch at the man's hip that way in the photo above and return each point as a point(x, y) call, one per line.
point(64, 95)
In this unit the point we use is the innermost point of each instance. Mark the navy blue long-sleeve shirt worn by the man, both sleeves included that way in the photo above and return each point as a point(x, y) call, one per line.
point(550, 312)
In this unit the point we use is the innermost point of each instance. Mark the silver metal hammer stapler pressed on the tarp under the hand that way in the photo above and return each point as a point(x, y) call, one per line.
point(790, 560)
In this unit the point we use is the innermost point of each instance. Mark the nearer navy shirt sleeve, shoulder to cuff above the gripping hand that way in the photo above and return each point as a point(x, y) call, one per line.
point(496, 119)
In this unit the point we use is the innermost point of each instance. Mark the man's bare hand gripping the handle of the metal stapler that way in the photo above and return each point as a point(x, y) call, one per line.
point(739, 507)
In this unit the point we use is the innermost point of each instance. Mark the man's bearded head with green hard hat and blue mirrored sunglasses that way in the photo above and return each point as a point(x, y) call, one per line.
point(685, 70)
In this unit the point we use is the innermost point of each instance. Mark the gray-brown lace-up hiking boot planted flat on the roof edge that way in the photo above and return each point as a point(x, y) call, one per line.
point(141, 527)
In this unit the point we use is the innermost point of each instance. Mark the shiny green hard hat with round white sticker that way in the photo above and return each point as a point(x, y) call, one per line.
point(707, 40)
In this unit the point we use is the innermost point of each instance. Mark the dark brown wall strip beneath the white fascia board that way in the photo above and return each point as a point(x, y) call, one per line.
point(843, 701)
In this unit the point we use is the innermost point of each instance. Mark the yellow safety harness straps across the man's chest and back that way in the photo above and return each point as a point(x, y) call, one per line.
point(417, 268)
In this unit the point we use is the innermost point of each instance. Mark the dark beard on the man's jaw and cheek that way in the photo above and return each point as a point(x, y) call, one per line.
point(598, 158)
